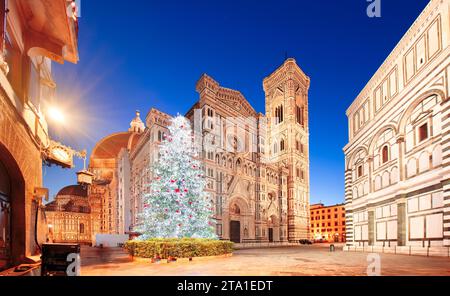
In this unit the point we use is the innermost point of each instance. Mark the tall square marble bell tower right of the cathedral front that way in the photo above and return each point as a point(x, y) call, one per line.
point(287, 142)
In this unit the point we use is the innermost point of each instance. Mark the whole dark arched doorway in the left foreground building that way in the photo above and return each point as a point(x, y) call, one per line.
point(12, 211)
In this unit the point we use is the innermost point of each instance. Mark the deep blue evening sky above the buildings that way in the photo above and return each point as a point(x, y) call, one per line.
point(151, 53)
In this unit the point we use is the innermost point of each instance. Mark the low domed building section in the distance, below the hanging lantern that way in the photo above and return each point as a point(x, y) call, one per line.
point(69, 216)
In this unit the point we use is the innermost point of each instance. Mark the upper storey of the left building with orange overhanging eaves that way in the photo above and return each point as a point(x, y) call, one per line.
point(38, 32)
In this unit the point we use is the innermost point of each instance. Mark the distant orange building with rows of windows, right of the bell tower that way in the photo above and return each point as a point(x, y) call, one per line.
point(328, 223)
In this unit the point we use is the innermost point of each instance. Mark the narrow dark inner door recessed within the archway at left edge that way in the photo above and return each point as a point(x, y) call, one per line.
point(5, 218)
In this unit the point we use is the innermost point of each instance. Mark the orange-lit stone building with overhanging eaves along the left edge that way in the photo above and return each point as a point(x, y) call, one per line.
point(33, 34)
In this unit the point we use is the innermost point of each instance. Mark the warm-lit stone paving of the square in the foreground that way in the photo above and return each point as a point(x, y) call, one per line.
point(299, 261)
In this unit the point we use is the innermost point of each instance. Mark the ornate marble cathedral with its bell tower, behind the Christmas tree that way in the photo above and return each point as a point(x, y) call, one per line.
point(256, 165)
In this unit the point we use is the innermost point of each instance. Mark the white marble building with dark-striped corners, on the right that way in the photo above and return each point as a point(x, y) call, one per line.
point(397, 176)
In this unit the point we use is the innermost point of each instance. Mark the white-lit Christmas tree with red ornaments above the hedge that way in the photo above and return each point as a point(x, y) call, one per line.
point(177, 206)
